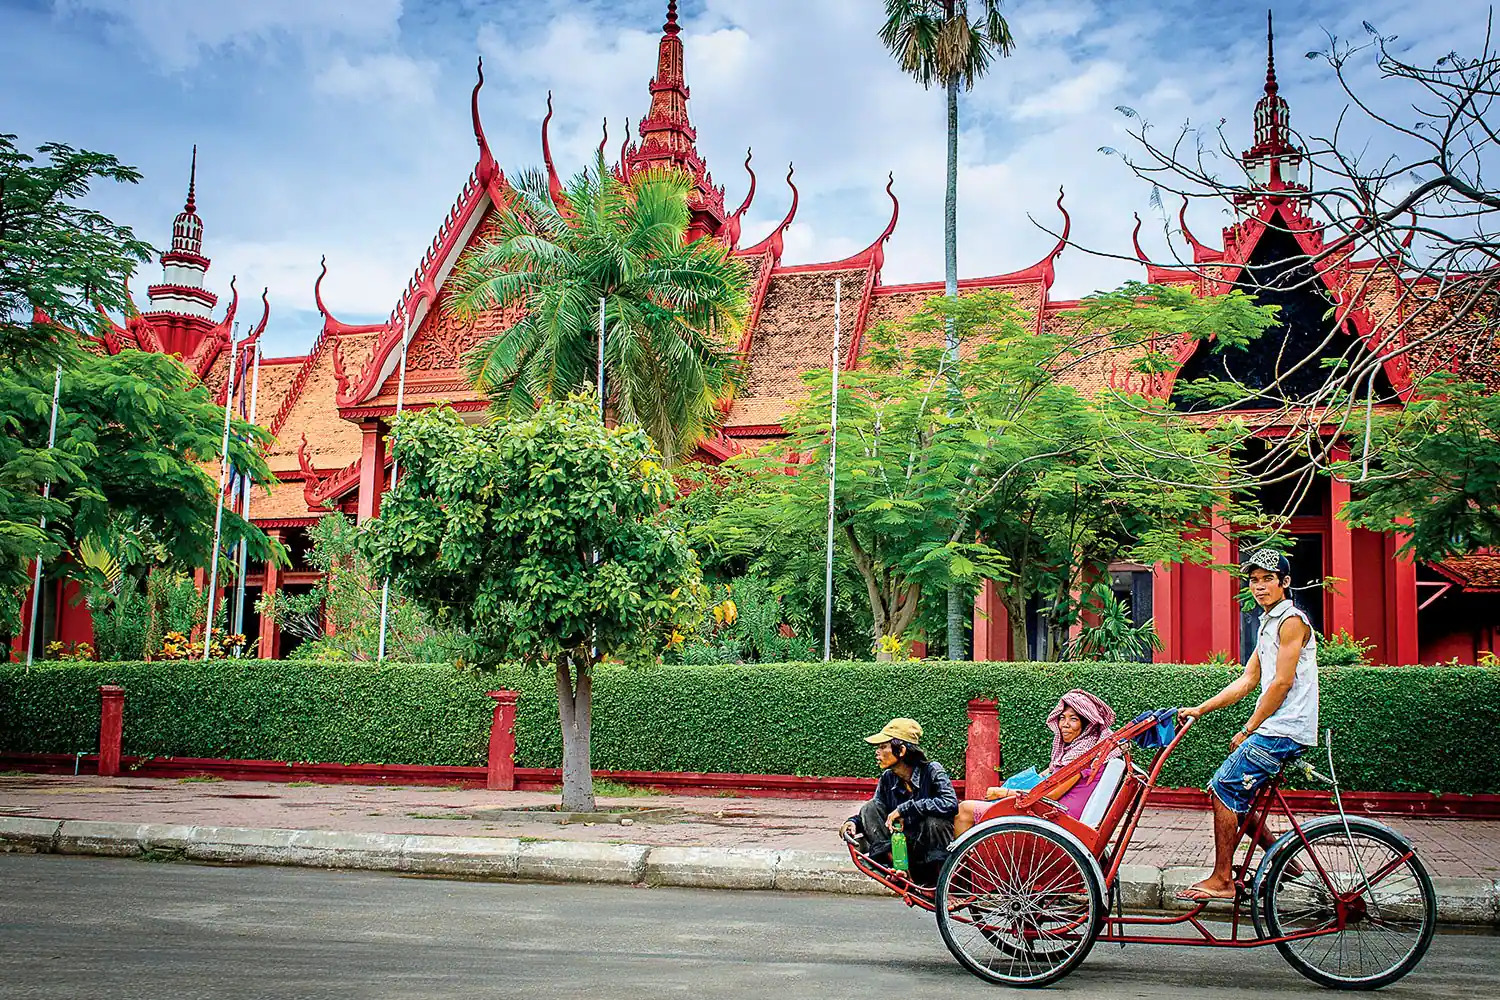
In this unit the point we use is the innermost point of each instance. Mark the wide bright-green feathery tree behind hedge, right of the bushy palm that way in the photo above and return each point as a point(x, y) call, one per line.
point(1018, 478)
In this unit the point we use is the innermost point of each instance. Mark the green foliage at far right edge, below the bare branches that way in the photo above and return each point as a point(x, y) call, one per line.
point(1433, 472)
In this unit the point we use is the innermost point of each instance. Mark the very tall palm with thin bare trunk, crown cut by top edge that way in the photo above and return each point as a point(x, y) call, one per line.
point(937, 43)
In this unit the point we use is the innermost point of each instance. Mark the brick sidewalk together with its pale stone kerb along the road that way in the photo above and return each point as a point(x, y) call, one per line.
point(707, 843)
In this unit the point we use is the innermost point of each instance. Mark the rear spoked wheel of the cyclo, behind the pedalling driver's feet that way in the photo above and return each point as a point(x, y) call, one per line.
point(1379, 888)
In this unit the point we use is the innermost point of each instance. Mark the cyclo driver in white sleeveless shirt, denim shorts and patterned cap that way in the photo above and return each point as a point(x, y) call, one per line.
point(1285, 722)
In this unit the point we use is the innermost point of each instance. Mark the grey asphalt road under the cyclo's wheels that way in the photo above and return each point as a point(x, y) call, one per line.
point(83, 927)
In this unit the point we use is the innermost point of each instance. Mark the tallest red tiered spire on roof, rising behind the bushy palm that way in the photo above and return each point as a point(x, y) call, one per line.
point(668, 139)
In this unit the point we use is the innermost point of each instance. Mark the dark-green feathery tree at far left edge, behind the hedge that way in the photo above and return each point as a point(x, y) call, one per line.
point(134, 431)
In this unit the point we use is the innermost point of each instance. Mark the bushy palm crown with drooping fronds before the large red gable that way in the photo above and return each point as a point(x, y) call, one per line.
point(673, 310)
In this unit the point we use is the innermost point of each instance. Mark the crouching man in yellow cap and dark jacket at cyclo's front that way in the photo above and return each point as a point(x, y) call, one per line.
point(914, 791)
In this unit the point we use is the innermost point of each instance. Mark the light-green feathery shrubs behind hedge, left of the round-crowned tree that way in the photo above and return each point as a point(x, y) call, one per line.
point(340, 618)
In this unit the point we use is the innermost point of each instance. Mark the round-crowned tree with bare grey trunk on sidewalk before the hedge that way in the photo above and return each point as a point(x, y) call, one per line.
point(541, 540)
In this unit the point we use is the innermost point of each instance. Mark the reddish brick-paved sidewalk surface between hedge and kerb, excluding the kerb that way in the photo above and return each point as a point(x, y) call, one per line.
point(1166, 839)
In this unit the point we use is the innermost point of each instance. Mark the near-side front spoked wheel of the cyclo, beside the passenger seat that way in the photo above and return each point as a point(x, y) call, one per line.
point(1019, 905)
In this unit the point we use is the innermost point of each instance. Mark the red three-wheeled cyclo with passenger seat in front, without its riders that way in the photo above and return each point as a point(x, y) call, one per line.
point(1028, 891)
